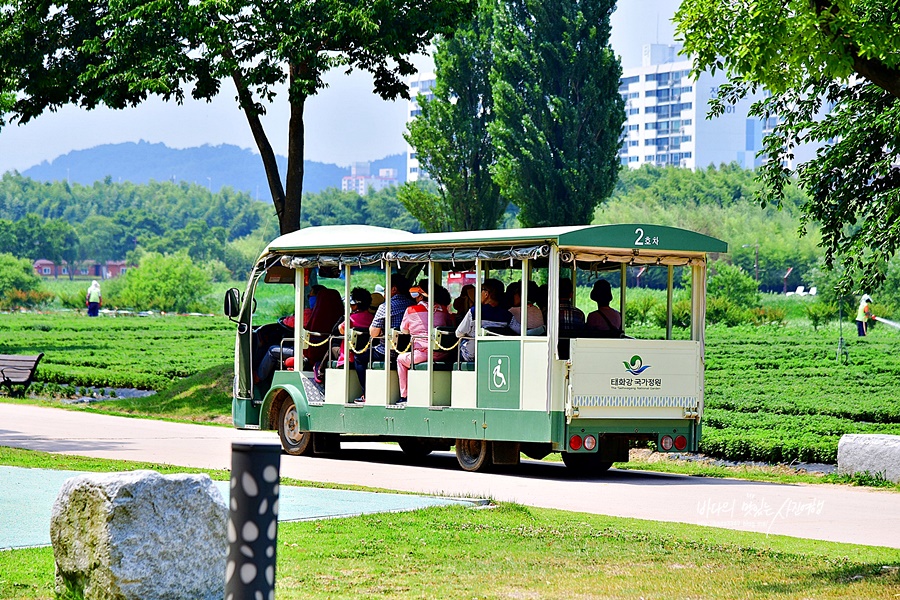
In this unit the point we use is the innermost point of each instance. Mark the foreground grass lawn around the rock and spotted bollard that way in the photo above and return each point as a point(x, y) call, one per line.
point(515, 552)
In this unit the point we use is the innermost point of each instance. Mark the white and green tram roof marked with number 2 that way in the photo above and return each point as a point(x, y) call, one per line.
point(632, 236)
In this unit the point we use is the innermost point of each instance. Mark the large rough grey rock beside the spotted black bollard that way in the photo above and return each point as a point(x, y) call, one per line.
point(140, 535)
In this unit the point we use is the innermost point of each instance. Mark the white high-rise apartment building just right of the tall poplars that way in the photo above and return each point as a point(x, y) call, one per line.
point(666, 120)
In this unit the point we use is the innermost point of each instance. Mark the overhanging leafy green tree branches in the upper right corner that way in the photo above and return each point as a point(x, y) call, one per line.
point(834, 72)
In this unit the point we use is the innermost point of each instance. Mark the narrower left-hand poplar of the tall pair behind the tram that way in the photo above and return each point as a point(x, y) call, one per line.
point(451, 135)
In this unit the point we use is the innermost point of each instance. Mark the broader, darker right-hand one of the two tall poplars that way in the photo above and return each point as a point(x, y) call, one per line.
point(558, 111)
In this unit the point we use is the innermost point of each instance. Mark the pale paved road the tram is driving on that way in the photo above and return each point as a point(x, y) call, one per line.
point(821, 512)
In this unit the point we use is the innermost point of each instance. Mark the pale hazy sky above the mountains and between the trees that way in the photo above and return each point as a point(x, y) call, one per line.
point(344, 123)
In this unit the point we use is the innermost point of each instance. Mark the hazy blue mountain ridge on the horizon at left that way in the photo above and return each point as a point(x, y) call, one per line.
point(215, 166)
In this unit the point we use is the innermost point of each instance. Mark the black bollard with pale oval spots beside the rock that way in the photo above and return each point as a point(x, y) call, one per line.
point(252, 521)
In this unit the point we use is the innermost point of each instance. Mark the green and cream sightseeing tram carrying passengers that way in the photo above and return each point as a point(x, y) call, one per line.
point(590, 394)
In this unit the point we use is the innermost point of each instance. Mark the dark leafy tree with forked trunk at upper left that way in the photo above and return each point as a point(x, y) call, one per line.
point(119, 53)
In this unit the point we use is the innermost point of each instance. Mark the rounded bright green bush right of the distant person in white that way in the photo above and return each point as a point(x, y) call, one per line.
point(170, 283)
